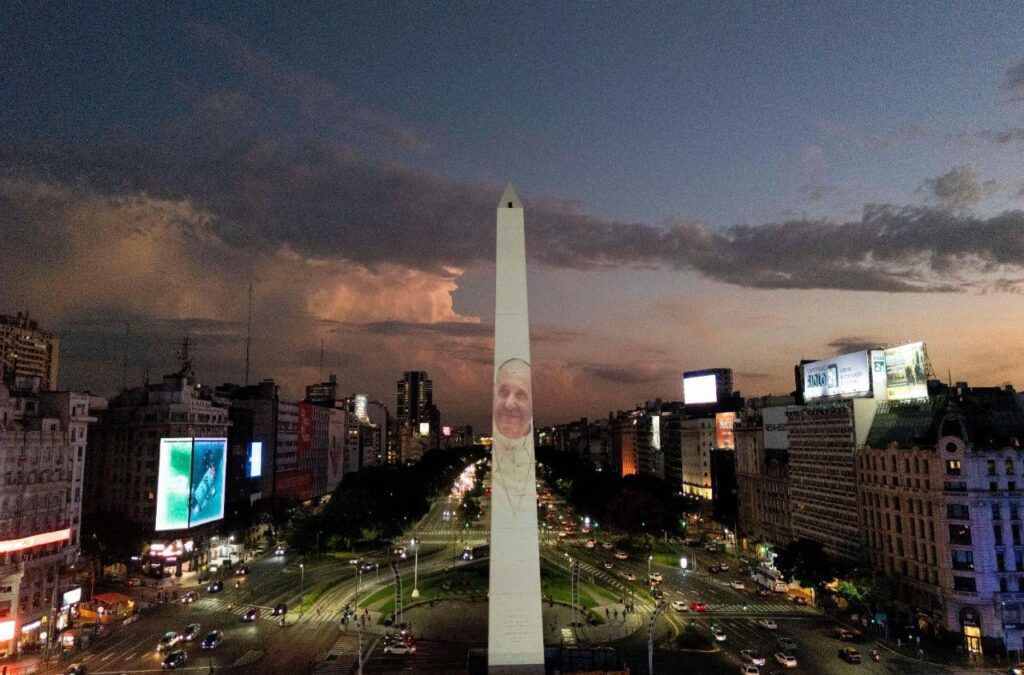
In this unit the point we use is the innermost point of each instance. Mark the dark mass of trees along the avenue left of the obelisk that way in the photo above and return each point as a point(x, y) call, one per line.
point(379, 502)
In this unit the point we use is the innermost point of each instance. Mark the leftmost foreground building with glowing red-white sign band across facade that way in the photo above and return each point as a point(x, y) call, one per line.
point(44, 437)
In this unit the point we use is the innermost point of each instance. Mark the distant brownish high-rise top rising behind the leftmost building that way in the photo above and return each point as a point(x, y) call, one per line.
point(27, 352)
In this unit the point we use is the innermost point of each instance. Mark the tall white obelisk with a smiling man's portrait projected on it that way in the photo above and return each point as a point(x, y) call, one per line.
point(516, 636)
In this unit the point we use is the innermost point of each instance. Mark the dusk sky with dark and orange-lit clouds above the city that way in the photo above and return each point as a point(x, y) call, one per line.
point(707, 185)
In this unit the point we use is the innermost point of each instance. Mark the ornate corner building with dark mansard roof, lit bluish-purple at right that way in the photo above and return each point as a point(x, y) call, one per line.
point(941, 497)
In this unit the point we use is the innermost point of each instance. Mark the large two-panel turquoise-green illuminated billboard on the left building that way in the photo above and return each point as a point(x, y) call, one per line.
point(191, 483)
